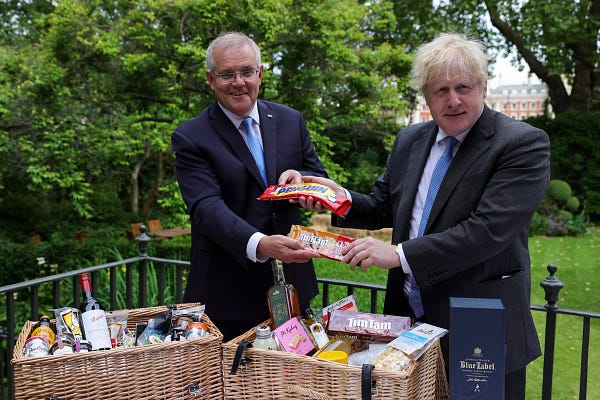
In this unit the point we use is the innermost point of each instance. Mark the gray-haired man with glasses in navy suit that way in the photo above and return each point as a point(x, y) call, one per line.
point(225, 158)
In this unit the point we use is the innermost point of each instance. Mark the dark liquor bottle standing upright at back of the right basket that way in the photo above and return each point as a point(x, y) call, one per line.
point(282, 297)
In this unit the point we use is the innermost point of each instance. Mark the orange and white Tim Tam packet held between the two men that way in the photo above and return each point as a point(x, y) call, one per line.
point(327, 244)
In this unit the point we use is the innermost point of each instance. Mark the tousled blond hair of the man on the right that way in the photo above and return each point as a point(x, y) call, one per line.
point(449, 55)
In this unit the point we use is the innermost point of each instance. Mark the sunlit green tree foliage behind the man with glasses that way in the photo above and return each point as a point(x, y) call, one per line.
point(91, 90)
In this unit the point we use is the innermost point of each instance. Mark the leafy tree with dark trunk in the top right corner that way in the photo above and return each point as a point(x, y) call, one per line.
point(557, 39)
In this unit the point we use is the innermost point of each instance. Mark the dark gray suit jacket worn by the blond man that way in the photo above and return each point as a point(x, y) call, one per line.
point(476, 240)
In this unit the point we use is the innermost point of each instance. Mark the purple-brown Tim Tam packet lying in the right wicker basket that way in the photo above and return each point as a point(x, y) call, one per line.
point(376, 327)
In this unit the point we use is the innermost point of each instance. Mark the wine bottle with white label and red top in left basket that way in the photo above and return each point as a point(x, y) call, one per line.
point(93, 317)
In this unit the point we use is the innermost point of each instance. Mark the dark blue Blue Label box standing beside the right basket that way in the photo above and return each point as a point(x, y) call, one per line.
point(477, 348)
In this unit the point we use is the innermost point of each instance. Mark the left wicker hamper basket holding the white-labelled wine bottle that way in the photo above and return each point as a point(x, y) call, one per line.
point(178, 370)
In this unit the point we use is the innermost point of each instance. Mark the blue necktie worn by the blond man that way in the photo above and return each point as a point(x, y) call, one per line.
point(414, 297)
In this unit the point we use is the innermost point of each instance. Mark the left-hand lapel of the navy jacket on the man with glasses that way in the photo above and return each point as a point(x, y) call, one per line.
point(225, 128)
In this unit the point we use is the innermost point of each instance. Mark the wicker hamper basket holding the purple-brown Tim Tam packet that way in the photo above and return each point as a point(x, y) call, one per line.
point(269, 374)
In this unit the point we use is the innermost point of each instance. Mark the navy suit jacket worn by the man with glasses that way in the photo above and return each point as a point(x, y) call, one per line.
point(220, 183)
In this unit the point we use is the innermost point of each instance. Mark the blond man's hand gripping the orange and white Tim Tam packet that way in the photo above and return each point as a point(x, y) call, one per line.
point(367, 252)
